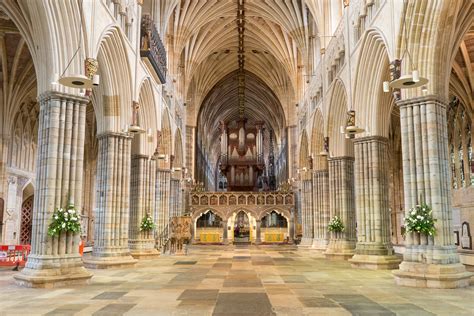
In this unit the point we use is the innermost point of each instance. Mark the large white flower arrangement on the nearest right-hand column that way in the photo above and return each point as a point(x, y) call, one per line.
point(420, 220)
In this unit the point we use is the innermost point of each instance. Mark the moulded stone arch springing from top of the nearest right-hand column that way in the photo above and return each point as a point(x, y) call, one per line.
point(433, 24)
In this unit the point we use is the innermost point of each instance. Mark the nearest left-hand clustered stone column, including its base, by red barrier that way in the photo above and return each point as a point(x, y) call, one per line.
point(55, 261)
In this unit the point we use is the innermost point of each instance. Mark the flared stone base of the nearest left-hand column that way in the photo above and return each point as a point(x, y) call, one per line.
point(53, 271)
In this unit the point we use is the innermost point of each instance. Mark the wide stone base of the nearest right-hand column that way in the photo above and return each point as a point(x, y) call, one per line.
point(439, 276)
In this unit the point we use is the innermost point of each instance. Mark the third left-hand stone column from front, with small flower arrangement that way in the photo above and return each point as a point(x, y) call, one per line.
point(142, 202)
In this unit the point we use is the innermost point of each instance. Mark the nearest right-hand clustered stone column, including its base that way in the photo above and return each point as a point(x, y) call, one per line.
point(428, 262)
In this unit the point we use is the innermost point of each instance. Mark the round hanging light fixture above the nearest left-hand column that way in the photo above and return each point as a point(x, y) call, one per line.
point(79, 80)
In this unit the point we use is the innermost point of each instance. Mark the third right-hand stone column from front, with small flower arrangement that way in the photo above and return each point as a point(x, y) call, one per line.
point(342, 203)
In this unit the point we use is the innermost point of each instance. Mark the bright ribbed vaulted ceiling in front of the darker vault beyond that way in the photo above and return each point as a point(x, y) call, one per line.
point(204, 38)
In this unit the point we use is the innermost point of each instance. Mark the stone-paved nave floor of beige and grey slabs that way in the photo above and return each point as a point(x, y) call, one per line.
point(218, 280)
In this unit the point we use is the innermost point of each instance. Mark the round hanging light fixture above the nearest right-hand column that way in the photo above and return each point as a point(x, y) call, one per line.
point(408, 81)
